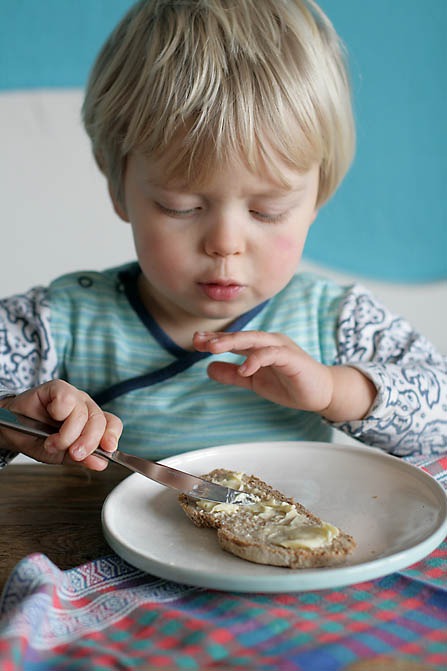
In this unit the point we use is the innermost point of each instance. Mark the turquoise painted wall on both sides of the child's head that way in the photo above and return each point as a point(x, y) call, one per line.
point(388, 219)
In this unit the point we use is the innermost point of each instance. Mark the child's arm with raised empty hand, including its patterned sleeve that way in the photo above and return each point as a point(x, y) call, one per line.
point(386, 386)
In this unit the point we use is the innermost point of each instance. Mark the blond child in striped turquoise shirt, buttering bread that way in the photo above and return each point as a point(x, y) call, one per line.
point(222, 128)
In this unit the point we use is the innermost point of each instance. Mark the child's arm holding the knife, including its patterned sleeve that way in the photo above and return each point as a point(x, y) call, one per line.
point(28, 361)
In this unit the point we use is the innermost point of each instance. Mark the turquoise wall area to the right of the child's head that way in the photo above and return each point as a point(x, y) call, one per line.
point(389, 219)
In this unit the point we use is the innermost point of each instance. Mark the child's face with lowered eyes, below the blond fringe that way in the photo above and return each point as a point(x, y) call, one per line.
point(208, 254)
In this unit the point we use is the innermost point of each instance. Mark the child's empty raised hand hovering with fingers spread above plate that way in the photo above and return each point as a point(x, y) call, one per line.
point(277, 369)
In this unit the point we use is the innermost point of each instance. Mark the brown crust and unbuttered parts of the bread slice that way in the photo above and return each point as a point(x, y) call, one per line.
point(239, 532)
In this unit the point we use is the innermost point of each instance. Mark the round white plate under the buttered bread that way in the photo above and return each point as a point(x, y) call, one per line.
point(396, 512)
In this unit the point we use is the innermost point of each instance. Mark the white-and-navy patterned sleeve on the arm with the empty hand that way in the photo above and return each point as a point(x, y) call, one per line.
point(409, 415)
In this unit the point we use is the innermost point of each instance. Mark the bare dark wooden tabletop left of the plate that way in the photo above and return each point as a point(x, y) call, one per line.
point(55, 510)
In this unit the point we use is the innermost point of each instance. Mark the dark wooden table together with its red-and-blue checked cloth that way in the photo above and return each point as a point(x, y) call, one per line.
point(374, 626)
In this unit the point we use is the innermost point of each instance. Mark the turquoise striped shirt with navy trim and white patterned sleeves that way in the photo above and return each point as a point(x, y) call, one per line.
point(91, 329)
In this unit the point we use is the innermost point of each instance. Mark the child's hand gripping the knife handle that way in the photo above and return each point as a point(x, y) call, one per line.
point(79, 423)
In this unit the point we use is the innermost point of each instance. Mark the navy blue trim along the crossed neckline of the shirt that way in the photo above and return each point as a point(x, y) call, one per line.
point(184, 359)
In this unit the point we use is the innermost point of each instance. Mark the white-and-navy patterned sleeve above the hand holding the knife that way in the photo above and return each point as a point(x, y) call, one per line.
point(27, 353)
